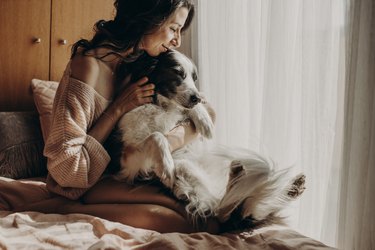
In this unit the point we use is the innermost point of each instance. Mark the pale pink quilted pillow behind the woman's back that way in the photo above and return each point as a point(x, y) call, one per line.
point(44, 94)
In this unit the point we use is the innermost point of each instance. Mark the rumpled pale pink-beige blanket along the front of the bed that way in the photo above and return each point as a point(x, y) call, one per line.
point(32, 230)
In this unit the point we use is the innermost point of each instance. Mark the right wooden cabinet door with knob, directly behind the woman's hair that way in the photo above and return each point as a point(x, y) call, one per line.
point(71, 21)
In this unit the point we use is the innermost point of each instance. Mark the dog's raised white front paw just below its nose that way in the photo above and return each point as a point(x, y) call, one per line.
point(202, 120)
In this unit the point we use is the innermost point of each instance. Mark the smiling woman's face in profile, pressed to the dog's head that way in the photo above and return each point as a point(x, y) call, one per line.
point(167, 36)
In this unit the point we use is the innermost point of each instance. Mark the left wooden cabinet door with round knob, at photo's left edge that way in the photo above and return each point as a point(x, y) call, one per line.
point(21, 59)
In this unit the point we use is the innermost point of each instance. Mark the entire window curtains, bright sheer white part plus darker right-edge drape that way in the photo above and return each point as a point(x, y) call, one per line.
point(295, 80)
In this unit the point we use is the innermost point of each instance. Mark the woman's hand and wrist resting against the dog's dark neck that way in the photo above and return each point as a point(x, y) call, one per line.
point(132, 95)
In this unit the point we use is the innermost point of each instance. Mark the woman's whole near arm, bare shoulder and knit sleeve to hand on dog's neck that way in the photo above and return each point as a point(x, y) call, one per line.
point(76, 156)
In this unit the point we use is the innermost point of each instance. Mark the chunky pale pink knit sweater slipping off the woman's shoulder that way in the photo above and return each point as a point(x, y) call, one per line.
point(75, 160)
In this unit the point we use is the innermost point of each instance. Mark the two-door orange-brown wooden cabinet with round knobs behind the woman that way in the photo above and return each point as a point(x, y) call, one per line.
point(36, 42)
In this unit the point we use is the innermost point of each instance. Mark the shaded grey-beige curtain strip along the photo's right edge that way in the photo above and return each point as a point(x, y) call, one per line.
point(357, 203)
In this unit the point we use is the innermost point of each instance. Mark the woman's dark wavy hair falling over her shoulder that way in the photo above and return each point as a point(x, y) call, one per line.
point(133, 19)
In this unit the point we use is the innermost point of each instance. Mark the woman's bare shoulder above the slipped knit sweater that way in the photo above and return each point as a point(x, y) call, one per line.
point(85, 69)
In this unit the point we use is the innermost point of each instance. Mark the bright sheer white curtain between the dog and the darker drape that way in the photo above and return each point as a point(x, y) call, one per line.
point(274, 72)
